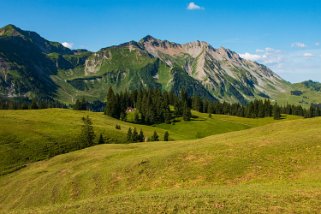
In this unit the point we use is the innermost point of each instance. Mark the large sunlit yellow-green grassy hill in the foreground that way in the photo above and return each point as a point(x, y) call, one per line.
point(273, 168)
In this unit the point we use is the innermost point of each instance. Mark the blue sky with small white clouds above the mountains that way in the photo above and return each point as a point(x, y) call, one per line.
point(283, 34)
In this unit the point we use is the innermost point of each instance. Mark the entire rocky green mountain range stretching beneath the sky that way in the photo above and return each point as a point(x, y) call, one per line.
point(33, 66)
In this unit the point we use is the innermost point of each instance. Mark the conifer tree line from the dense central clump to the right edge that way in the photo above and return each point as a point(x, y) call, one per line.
point(152, 106)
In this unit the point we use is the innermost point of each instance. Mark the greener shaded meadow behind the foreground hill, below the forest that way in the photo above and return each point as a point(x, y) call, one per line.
point(27, 136)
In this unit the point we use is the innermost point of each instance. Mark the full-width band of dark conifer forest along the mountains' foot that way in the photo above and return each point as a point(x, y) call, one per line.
point(152, 106)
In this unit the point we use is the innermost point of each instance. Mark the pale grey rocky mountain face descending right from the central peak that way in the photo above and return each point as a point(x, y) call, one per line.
point(222, 72)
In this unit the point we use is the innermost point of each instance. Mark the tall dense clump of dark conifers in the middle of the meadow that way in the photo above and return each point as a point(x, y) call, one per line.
point(150, 106)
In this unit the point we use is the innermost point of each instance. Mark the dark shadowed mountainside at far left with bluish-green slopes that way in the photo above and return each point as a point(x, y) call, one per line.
point(28, 62)
